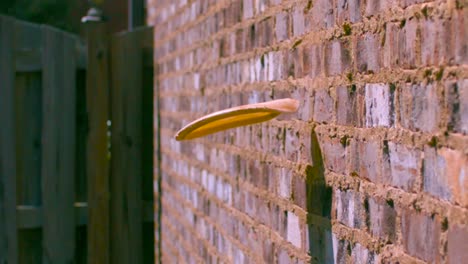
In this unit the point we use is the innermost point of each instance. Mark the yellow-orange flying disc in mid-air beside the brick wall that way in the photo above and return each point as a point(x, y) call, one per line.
point(235, 117)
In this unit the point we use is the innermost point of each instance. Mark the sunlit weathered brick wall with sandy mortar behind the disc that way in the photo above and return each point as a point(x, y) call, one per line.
point(372, 169)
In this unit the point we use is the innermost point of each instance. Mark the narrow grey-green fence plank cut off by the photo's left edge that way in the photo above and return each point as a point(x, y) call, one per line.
point(8, 234)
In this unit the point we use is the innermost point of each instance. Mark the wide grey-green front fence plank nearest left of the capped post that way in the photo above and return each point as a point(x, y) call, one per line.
point(58, 146)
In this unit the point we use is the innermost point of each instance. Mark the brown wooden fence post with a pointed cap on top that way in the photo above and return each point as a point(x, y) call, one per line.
point(97, 101)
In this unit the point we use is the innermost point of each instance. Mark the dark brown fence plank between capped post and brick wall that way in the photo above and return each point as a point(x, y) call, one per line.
point(126, 166)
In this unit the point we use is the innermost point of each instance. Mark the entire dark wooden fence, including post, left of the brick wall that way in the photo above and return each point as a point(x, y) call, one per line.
point(55, 112)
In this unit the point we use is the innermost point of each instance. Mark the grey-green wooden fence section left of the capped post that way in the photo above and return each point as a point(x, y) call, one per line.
point(42, 190)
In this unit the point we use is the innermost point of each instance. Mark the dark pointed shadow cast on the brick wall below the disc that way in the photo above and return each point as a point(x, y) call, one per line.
point(319, 200)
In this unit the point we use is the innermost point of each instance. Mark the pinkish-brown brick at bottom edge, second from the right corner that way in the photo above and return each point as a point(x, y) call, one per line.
point(421, 234)
